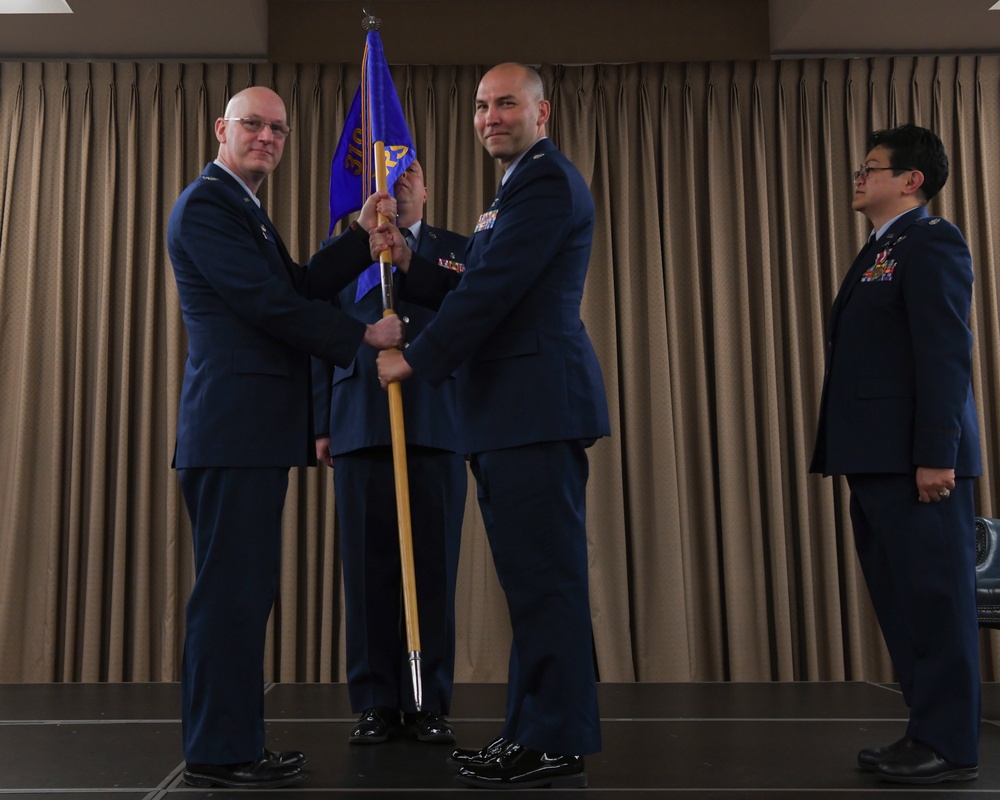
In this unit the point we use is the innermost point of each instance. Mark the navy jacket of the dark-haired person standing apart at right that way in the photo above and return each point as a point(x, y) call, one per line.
point(898, 391)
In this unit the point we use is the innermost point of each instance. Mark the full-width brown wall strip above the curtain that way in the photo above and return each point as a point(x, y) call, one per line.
point(479, 32)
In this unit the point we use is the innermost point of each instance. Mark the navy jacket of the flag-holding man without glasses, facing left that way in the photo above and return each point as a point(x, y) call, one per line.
point(526, 367)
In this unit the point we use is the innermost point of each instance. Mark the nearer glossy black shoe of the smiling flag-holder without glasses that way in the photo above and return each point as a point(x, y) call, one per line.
point(518, 767)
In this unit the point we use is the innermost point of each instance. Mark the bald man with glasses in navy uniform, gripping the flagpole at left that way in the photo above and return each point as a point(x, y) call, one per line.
point(253, 317)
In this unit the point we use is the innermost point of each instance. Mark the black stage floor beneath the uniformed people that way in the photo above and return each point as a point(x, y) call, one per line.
point(707, 741)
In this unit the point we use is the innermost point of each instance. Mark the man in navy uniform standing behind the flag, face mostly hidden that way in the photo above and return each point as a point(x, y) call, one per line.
point(353, 436)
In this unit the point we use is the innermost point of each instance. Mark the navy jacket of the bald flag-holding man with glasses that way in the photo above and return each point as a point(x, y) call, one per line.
point(253, 316)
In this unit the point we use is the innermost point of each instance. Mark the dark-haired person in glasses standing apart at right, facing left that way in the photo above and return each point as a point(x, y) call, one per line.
point(897, 418)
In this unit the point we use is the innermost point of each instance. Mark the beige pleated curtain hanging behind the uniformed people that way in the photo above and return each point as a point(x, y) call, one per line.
point(723, 230)
